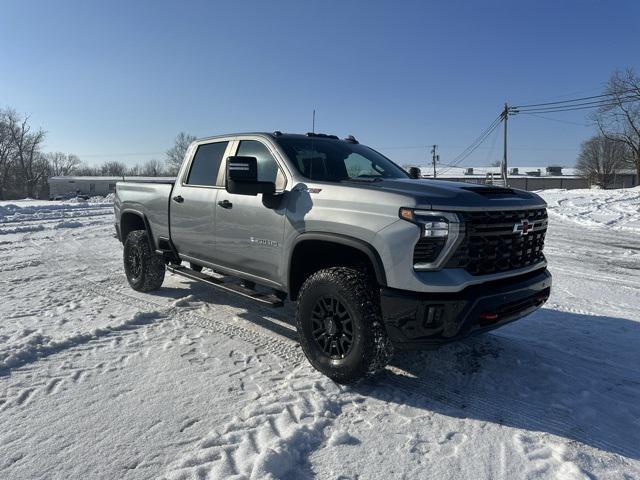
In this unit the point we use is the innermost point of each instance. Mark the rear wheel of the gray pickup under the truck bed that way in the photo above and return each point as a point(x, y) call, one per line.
point(144, 268)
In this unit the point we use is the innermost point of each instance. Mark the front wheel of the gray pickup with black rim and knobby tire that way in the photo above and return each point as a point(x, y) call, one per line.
point(340, 326)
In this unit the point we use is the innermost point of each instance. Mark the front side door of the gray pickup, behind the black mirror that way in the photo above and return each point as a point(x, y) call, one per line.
point(249, 234)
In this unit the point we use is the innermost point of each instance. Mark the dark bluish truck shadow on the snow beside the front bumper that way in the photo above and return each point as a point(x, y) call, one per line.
point(571, 375)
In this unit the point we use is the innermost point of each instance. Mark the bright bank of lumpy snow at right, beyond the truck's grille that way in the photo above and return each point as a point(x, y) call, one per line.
point(614, 209)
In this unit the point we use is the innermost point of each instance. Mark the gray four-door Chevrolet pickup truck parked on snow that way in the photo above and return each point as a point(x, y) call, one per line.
point(375, 258)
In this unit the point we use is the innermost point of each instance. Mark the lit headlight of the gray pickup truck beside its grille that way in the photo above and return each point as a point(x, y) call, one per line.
point(439, 235)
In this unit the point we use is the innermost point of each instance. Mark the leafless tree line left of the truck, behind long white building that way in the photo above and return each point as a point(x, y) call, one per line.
point(25, 168)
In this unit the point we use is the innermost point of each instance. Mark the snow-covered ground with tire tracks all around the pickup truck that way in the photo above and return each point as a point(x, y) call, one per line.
point(99, 381)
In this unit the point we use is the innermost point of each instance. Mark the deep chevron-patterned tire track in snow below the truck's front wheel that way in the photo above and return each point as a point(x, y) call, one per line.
point(271, 438)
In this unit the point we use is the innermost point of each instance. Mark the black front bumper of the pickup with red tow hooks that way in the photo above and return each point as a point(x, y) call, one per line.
point(415, 319)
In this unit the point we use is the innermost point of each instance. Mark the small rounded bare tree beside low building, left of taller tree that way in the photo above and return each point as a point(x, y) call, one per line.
point(599, 159)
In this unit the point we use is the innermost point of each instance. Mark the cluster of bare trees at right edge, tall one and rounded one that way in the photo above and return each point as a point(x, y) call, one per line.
point(616, 145)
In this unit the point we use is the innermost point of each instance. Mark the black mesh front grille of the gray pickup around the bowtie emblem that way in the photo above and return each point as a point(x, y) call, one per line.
point(490, 244)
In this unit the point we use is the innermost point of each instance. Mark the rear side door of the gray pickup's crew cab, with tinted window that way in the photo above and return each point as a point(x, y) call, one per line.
point(192, 207)
